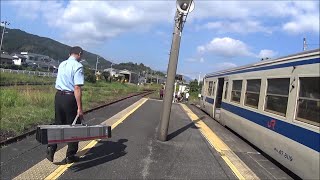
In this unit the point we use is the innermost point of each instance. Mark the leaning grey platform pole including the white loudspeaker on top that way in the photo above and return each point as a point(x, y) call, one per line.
point(183, 8)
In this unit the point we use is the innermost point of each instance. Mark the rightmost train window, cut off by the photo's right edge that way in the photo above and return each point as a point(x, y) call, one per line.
point(309, 100)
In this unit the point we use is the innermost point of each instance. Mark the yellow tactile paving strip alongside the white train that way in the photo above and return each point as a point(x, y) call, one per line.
point(239, 168)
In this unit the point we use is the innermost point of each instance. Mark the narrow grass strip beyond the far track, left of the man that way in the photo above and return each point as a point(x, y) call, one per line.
point(15, 78)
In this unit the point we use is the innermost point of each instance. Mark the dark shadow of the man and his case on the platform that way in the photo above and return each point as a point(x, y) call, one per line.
point(103, 152)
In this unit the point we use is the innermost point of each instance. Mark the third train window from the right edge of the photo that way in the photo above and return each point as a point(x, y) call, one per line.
point(253, 93)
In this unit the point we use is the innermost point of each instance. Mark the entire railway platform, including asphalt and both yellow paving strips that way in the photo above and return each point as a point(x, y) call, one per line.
point(197, 148)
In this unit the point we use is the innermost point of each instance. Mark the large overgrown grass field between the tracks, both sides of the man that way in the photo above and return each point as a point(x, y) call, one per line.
point(24, 107)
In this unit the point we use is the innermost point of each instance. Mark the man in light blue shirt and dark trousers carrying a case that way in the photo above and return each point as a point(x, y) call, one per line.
point(68, 99)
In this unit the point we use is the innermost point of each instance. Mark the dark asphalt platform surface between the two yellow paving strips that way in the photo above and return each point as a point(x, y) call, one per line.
point(135, 153)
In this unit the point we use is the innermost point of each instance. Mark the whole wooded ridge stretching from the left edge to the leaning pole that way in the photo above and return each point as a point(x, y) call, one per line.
point(20, 41)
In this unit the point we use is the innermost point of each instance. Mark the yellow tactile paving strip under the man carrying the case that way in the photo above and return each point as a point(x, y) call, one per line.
point(48, 170)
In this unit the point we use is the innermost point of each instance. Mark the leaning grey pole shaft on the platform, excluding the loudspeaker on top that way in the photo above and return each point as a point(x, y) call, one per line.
point(171, 73)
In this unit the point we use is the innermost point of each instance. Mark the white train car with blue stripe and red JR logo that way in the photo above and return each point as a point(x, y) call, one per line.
point(275, 105)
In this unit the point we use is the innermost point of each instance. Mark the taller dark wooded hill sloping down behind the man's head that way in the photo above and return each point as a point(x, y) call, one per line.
point(20, 41)
